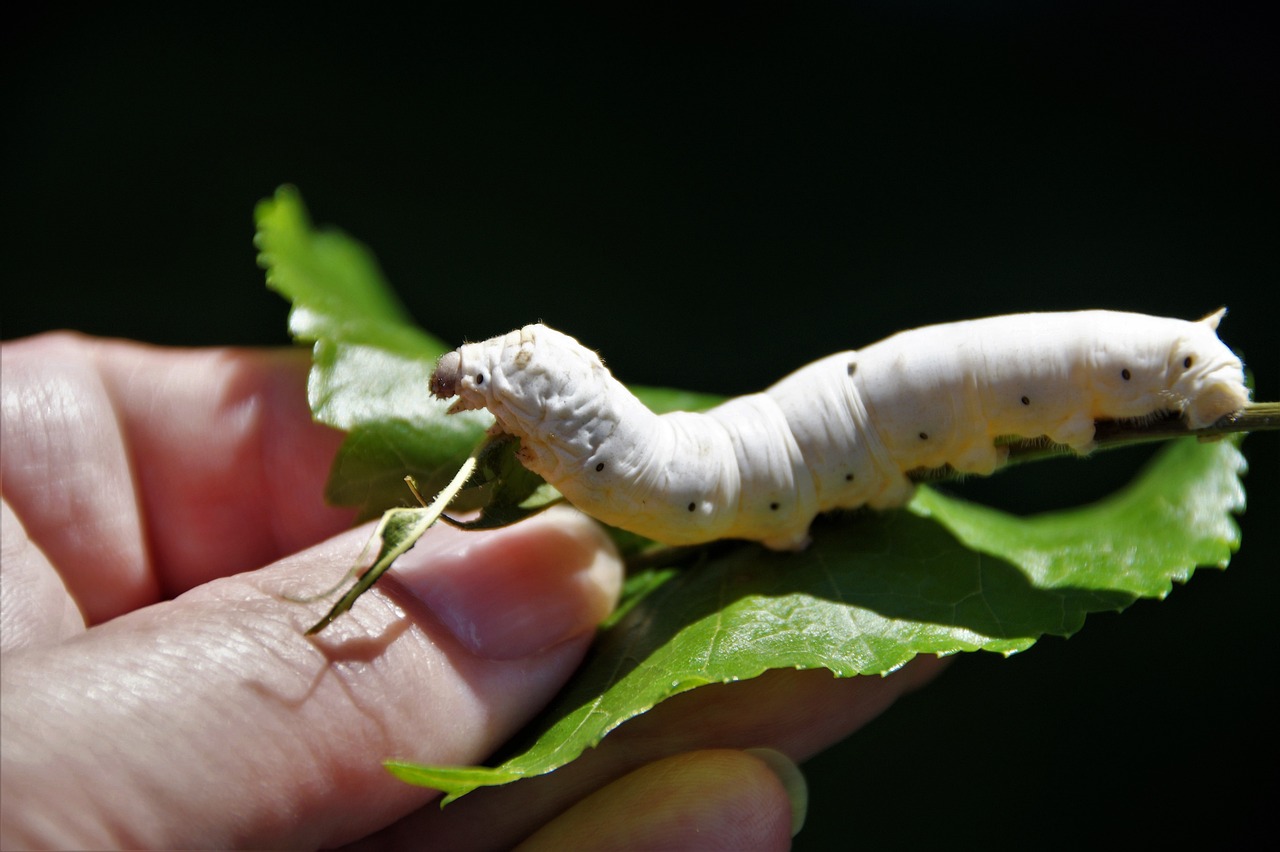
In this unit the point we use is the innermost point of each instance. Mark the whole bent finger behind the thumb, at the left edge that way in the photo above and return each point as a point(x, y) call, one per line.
point(143, 471)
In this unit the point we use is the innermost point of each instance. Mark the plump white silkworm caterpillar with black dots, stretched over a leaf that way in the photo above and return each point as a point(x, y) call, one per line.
point(843, 432)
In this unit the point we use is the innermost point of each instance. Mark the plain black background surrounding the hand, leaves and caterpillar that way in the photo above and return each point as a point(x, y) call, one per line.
point(712, 199)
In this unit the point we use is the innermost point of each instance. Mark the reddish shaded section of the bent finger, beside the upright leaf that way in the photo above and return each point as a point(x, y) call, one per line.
point(231, 466)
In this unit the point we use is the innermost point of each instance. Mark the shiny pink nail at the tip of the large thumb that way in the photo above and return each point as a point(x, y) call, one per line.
point(509, 594)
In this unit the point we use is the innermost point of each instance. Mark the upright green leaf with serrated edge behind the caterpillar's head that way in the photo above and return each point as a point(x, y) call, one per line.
point(371, 364)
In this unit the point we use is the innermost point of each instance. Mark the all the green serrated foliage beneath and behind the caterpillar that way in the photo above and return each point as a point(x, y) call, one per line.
point(874, 590)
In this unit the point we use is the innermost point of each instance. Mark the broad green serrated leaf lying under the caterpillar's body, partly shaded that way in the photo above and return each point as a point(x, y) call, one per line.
point(877, 589)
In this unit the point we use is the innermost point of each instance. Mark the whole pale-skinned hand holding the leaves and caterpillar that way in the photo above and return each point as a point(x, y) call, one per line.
point(159, 691)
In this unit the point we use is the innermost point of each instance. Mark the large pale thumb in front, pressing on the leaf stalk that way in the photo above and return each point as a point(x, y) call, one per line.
point(212, 721)
